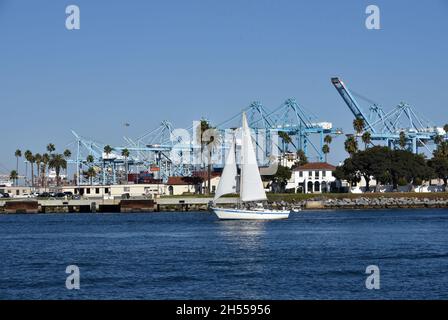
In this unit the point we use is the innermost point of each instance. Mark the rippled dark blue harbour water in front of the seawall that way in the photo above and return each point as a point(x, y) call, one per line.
point(313, 255)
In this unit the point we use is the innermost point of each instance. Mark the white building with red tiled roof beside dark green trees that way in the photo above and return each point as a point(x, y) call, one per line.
point(313, 177)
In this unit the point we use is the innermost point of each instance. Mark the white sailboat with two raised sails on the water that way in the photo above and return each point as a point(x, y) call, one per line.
point(251, 188)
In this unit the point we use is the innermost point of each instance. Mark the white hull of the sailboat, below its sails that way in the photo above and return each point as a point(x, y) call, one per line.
point(243, 214)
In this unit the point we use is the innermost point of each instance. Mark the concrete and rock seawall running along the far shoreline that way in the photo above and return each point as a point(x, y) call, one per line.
point(201, 204)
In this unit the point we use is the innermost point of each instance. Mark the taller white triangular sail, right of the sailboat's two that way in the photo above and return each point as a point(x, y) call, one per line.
point(251, 188)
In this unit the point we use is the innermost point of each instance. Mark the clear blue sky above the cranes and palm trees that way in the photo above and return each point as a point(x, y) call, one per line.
point(145, 61)
